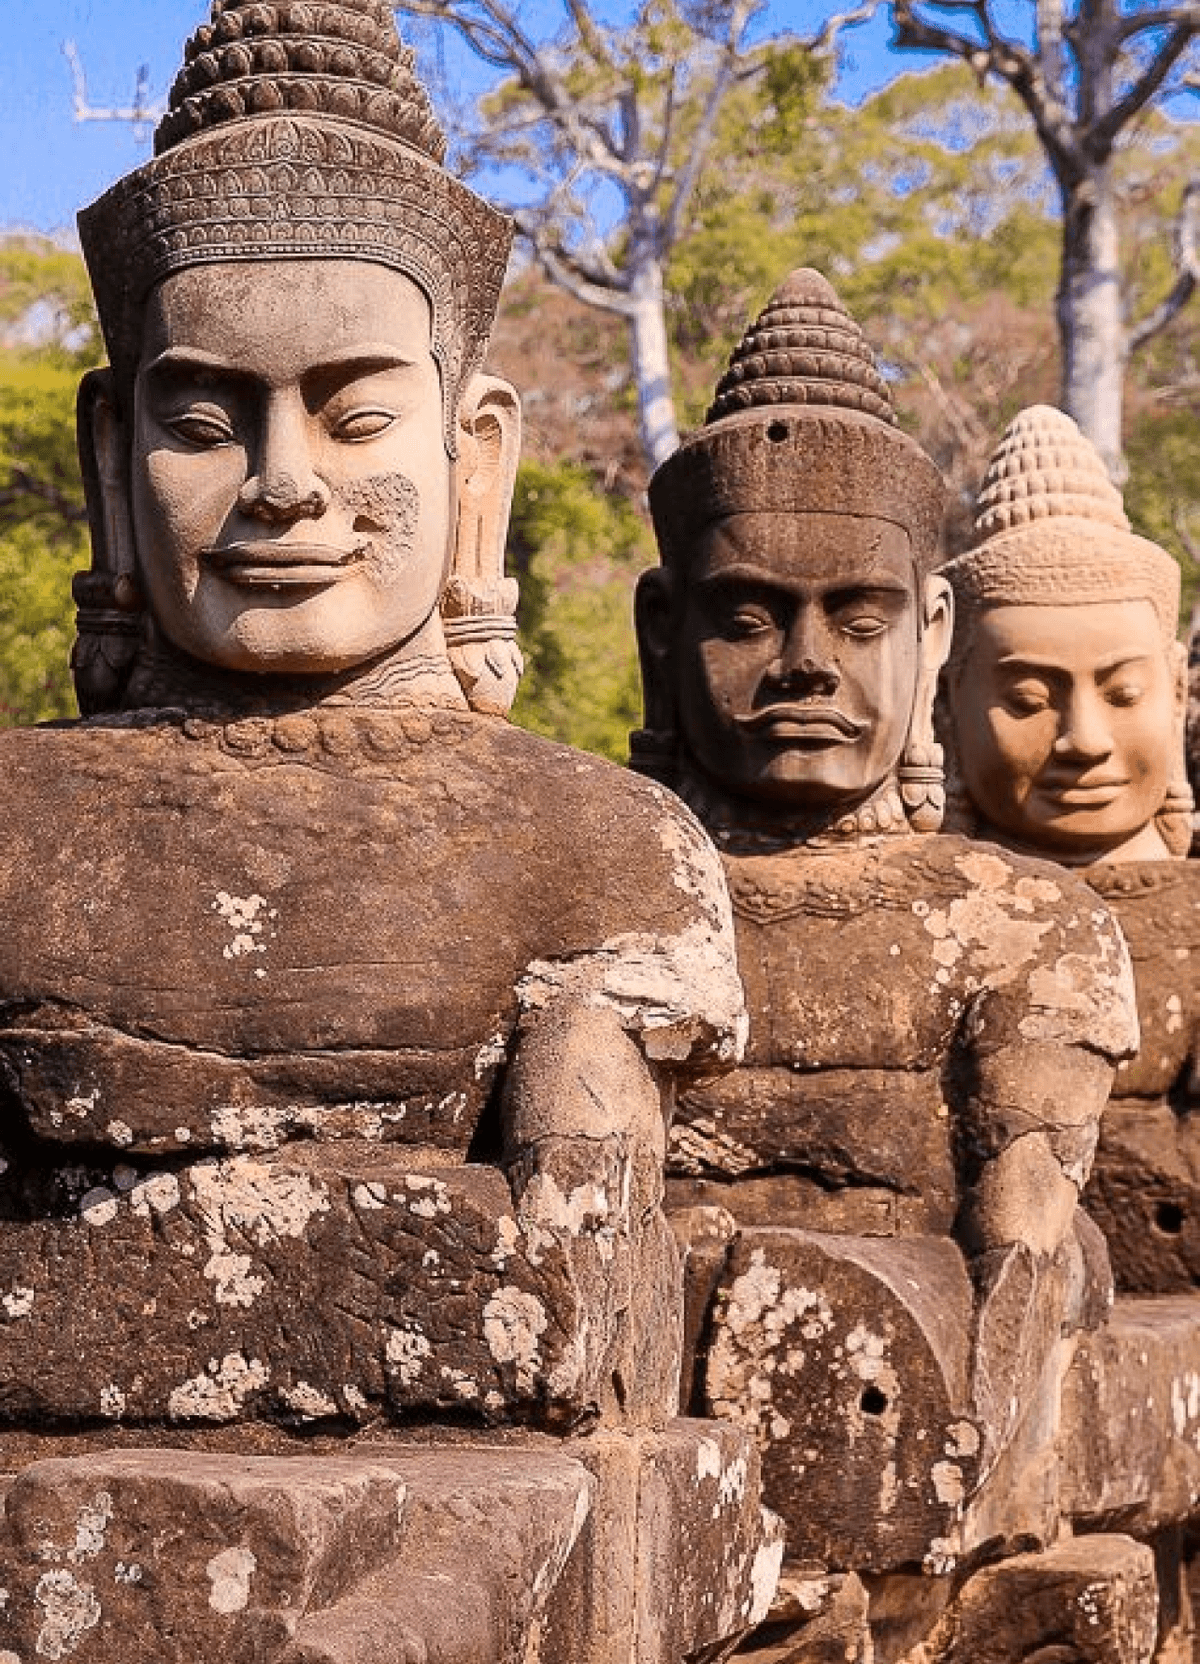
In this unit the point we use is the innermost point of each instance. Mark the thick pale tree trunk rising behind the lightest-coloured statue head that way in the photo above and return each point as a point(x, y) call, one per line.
point(1091, 319)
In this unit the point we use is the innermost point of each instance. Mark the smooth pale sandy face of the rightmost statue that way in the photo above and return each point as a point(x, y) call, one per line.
point(1064, 721)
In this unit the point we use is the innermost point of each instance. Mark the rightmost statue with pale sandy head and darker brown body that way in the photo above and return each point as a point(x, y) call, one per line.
point(1066, 701)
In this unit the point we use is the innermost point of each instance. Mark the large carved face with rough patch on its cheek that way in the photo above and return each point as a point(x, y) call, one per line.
point(290, 485)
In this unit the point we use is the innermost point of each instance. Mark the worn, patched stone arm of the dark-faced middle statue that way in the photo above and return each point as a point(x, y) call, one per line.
point(1038, 1086)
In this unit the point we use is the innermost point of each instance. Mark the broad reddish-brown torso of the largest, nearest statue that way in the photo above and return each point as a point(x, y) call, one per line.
point(219, 936)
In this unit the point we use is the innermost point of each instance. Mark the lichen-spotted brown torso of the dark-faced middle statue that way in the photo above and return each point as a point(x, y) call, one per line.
point(873, 978)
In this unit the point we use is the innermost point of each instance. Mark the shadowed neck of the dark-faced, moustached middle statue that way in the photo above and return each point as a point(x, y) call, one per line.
point(740, 826)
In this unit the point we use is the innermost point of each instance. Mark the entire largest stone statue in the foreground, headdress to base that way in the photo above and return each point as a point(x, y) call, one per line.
point(339, 1019)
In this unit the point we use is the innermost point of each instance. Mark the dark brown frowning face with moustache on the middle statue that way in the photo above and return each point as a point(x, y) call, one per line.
point(798, 656)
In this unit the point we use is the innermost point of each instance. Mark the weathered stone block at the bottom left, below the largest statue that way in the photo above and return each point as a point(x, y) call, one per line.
point(179, 1558)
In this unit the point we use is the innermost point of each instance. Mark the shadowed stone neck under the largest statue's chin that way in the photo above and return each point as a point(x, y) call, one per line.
point(167, 678)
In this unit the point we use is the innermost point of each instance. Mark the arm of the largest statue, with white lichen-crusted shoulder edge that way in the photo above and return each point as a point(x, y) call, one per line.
point(603, 1042)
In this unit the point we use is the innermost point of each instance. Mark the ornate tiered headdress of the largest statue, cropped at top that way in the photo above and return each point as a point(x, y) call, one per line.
point(297, 131)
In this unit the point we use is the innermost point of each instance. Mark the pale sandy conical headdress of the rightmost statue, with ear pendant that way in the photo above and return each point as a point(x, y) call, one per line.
point(1051, 530)
